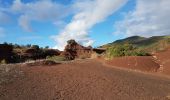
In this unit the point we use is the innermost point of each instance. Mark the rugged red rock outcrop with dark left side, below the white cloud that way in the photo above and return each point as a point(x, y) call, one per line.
point(74, 50)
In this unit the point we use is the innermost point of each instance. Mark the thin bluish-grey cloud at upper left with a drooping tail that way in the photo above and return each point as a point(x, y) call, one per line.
point(42, 10)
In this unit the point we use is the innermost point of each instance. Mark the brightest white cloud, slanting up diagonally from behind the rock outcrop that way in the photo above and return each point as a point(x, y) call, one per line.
point(89, 13)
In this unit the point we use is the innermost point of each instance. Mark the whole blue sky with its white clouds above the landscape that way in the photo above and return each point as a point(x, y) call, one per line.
point(90, 22)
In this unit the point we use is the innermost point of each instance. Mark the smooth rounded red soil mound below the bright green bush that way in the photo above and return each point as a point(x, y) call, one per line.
point(143, 63)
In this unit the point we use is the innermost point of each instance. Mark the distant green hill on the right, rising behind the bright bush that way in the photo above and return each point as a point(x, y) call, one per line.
point(150, 44)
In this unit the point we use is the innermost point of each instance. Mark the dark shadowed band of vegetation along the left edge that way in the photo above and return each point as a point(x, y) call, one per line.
point(14, 53)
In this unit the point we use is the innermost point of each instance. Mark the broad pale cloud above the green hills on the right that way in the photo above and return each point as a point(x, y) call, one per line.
point(150, 17)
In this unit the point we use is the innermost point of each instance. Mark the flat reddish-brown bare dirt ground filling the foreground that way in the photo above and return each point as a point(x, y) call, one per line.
point(84, 80)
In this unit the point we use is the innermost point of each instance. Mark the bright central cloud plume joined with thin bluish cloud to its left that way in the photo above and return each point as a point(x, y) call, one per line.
point(85, 14)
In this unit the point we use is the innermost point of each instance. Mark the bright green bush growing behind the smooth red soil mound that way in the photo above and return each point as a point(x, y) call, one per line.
point(124, 50)
